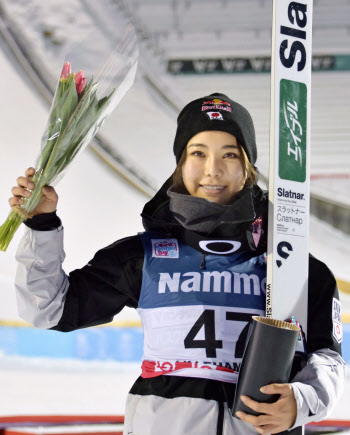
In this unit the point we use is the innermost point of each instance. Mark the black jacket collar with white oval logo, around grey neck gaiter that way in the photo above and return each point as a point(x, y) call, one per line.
point(209, 227)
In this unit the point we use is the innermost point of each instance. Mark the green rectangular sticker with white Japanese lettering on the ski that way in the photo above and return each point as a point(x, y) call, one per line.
point(292, 146)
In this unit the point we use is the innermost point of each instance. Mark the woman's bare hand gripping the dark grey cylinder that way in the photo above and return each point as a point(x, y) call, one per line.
point(276, 417)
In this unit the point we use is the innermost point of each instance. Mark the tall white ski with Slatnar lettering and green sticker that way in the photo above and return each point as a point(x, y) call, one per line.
point(289, 174)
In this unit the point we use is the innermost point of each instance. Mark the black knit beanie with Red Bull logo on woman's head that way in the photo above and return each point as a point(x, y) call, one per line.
point(215, 112)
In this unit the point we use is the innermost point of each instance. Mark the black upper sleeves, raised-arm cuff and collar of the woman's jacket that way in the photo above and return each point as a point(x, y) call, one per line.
point(112, 279)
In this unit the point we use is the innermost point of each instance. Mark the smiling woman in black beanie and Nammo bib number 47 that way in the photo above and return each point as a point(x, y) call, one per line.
point(196, 276)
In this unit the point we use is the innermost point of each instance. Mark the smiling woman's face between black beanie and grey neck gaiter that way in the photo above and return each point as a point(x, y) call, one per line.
point(213, 167)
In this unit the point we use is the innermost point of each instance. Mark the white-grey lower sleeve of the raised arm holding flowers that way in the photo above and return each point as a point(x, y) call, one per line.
point(41, 284)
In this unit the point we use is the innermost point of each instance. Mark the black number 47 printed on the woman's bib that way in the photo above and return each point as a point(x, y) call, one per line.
point(207, 321)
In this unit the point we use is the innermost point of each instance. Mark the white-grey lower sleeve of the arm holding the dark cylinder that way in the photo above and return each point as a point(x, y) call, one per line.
point(318, 386)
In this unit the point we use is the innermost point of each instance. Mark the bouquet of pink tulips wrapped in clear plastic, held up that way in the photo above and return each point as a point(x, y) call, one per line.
point(79, 108)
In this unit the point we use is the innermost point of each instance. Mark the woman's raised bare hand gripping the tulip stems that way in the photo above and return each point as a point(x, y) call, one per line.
point(25, 185)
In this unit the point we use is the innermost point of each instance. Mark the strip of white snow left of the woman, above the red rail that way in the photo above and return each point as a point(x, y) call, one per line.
point(45, 387)
